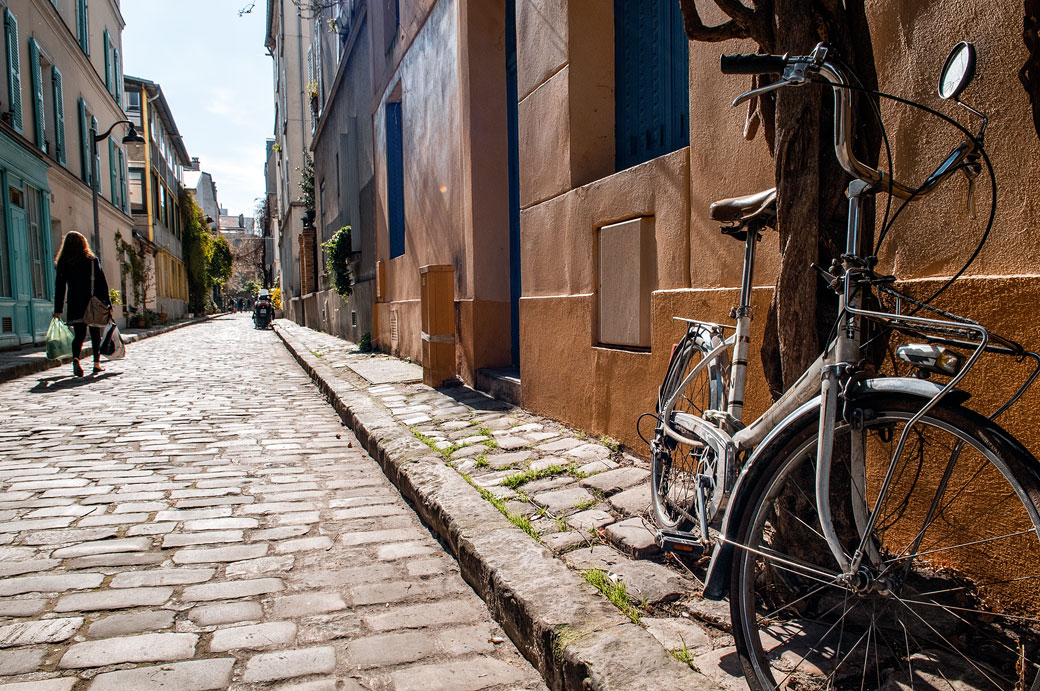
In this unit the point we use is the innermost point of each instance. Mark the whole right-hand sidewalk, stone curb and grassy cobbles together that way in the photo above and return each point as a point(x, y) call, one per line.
point(539, 518)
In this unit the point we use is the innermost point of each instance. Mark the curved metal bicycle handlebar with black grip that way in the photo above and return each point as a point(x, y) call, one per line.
point(794, 70)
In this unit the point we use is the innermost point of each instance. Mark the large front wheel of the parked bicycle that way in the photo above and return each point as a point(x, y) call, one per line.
point(949, 594)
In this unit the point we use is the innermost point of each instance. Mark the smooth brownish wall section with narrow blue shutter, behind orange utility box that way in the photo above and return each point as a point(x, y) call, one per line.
point(450, 78)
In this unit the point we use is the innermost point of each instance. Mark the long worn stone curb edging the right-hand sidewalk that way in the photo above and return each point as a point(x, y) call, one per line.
point(562, 625)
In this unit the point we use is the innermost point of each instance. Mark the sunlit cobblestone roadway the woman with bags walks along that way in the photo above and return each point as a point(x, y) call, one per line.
point(198, 518)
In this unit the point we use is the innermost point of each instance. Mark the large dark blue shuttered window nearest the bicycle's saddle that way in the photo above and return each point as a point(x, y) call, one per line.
point(652, 81)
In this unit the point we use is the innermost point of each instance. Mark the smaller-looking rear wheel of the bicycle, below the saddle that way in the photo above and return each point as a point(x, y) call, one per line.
point(674, 466)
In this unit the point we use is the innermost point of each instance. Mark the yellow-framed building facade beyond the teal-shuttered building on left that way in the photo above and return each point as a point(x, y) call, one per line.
point(157, 171)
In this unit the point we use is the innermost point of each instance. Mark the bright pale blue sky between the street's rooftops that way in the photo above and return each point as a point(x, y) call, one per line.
point(217, 78)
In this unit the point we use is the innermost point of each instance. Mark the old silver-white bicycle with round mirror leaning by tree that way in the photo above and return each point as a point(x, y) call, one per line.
point(879, 533)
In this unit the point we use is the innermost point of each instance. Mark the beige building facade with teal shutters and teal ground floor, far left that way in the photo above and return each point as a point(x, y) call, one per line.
point(63, 67)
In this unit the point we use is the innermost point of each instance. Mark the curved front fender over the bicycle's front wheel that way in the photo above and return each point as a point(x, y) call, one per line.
point(717, 581)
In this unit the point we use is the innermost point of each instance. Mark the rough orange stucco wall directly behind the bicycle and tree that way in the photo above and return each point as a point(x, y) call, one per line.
point(567, 376)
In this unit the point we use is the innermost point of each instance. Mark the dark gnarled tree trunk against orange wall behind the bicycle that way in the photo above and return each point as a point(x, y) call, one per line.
point(811, 185)
